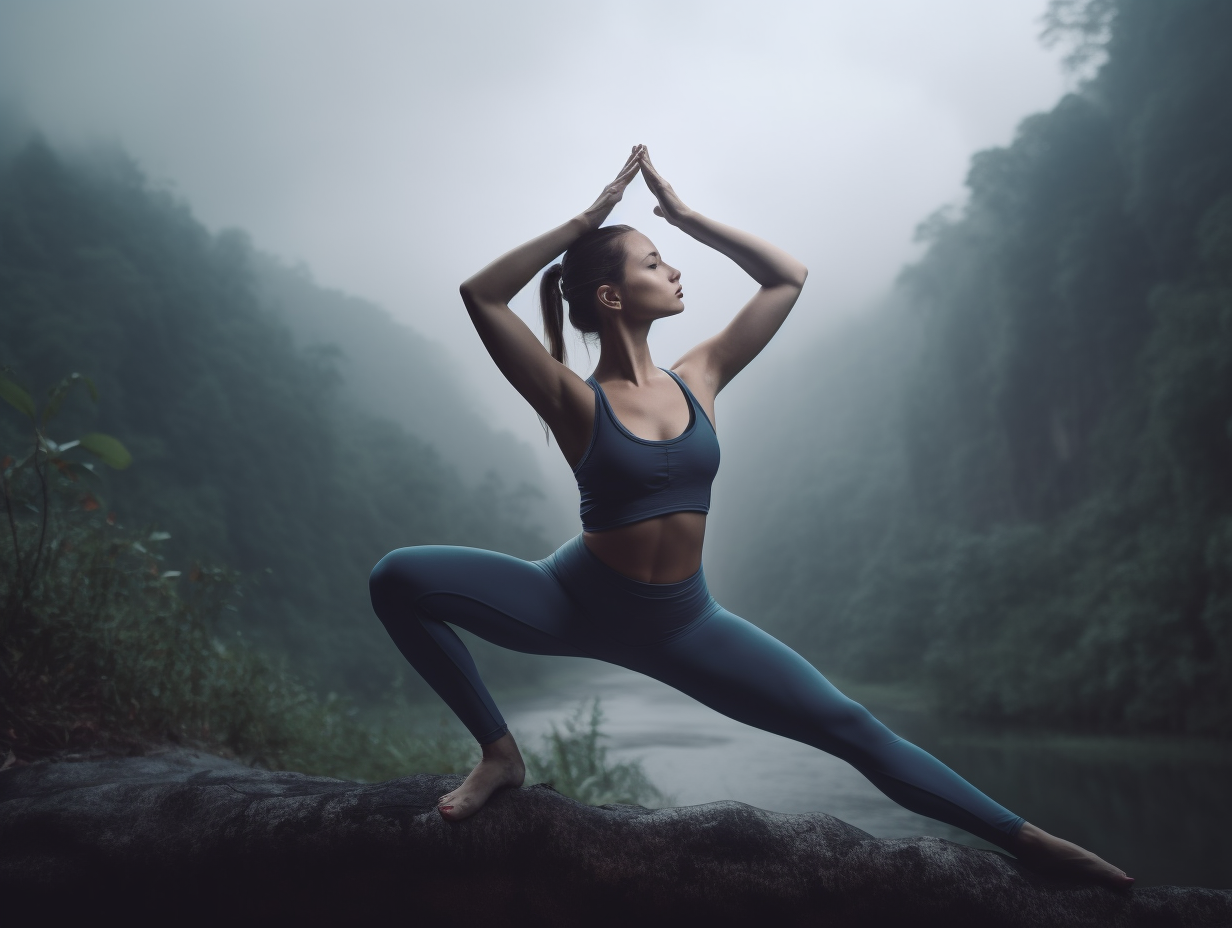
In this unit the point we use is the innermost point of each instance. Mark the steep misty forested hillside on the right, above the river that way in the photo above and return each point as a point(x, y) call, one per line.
point(1015, 484)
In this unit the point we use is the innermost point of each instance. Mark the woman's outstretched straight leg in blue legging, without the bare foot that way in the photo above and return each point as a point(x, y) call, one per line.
point(736, 669)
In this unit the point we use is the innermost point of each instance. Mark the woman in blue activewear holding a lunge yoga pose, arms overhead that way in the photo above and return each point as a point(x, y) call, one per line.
point(630, 590)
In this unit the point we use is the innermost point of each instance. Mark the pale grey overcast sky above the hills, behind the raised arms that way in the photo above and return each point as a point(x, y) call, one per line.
point(397, 147)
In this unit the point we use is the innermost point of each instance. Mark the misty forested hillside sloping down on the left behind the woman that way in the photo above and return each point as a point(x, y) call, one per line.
point(247, 448)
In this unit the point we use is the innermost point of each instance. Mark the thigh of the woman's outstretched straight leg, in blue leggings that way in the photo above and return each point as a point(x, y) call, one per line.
point(741, 671)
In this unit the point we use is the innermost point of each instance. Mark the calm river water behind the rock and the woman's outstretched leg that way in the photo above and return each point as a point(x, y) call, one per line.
point(1160, 809)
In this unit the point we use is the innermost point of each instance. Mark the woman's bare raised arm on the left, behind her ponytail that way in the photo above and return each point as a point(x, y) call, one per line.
point(559, 395)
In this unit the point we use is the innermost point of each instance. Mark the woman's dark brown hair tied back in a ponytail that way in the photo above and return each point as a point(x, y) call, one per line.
point(594, 259)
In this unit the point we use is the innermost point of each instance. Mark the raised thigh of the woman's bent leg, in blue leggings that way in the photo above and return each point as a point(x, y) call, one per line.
point(513, 603)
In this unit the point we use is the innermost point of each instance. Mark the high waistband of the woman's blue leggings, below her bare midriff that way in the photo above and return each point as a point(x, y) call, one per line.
point(626, 609)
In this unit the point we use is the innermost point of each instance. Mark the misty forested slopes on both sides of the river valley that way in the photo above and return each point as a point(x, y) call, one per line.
point(1011, 486)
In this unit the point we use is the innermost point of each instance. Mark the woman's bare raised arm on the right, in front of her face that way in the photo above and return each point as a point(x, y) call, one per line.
point(720, 358)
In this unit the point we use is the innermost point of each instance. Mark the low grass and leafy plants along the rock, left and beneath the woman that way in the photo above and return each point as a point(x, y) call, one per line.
point(104, 649)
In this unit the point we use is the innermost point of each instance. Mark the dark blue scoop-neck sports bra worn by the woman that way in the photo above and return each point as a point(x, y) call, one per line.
point(624, 479)
